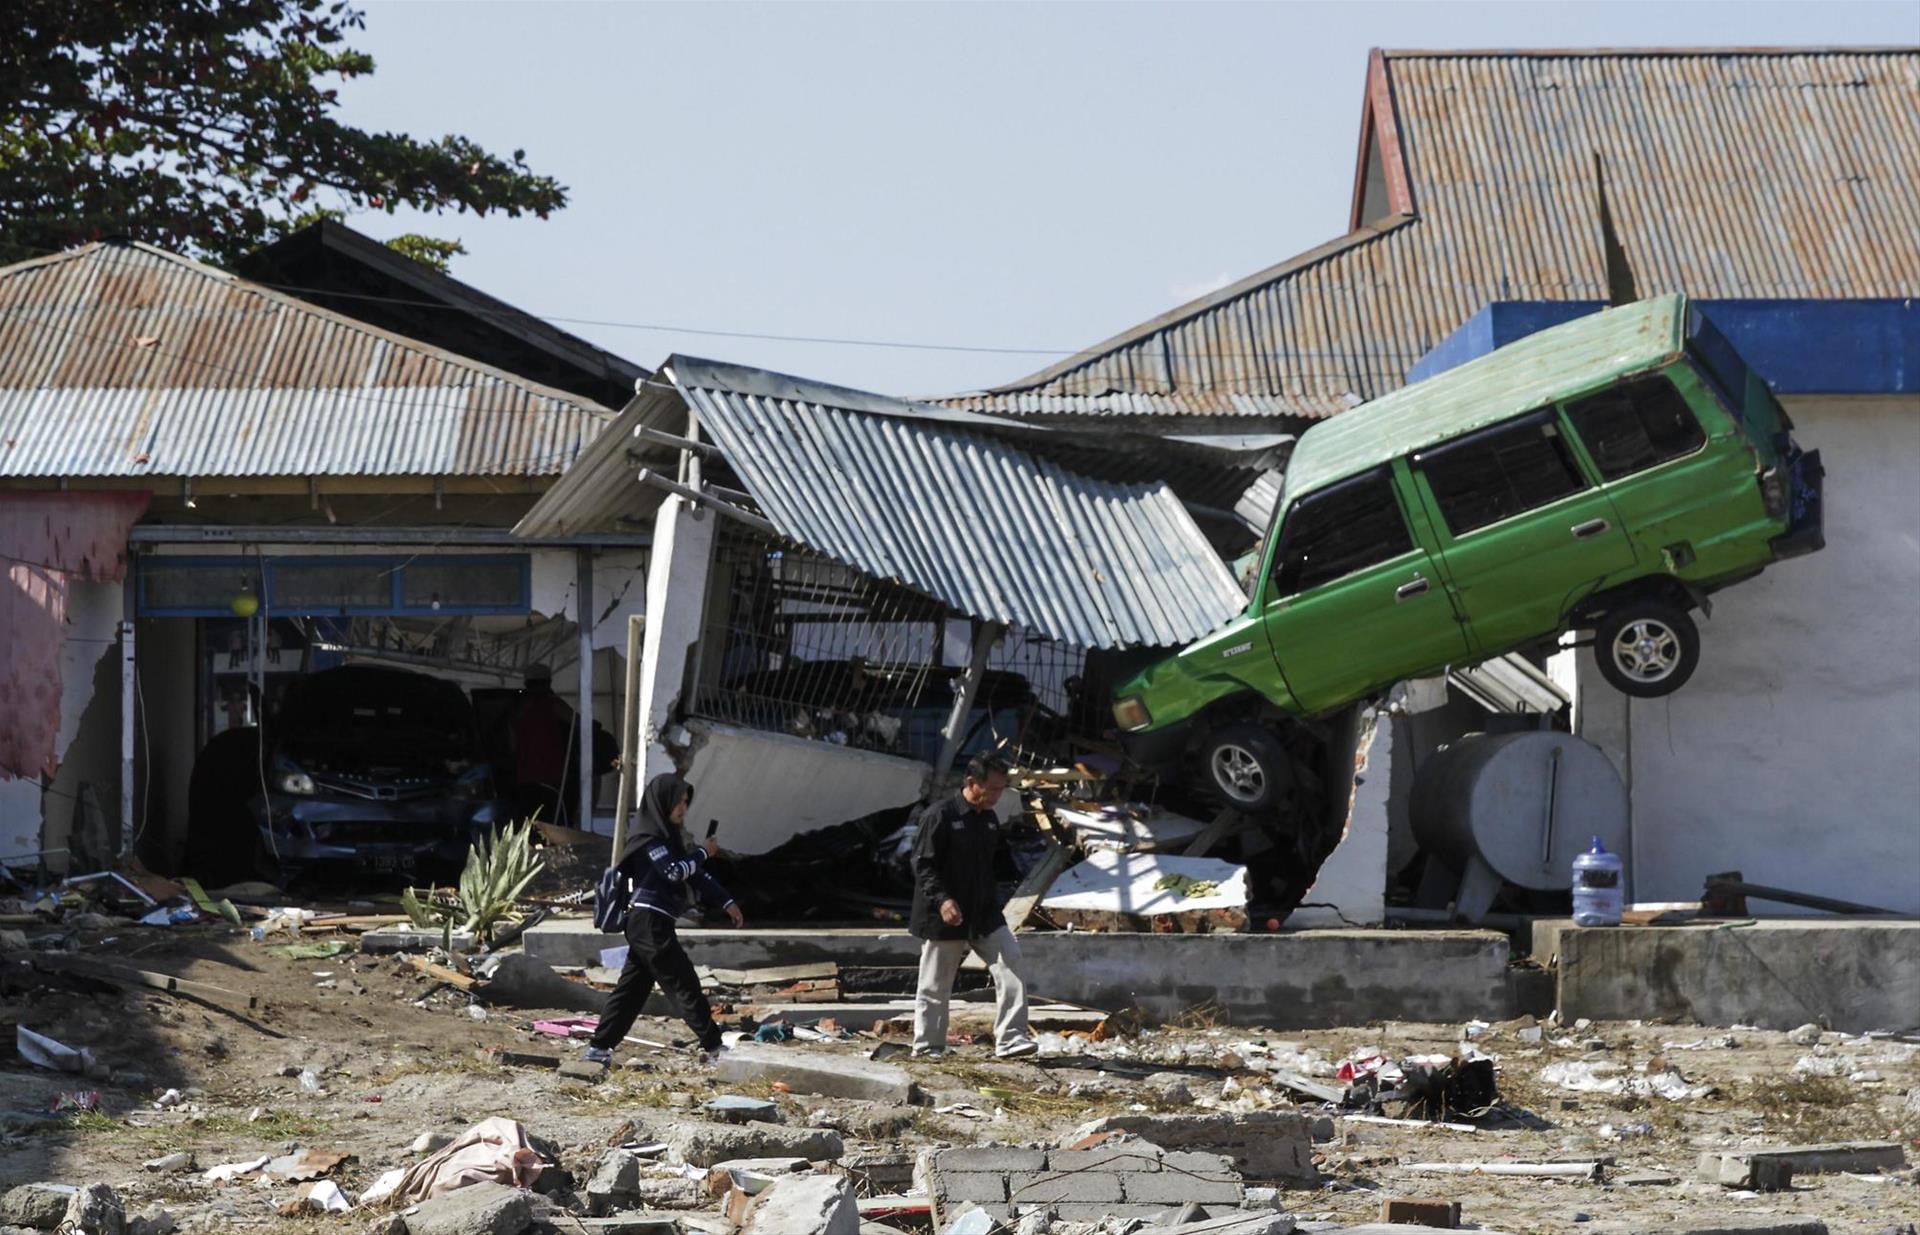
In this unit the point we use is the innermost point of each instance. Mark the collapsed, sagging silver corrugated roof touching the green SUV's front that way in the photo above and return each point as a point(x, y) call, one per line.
point(965, 516)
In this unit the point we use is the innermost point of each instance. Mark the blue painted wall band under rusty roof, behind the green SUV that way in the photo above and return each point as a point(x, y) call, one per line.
point(1800, 347)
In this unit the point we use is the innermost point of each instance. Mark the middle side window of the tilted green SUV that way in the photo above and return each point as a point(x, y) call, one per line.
point(1500, 472)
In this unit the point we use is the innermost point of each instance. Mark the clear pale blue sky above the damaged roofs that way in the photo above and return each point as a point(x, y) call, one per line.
point(1019, 178)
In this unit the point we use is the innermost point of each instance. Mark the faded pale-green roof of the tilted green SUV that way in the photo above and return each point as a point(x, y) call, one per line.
point(1554, 364)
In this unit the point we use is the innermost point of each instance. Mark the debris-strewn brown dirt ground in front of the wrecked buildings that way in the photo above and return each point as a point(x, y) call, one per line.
point(400, 1055)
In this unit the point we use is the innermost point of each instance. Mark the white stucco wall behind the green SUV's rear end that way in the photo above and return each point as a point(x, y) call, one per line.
point(1794, 754)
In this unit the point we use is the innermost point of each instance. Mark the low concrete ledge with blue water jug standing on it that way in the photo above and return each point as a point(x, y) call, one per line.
point(1854, 975)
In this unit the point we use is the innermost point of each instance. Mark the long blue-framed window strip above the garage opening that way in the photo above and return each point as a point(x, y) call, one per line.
point(450, 585)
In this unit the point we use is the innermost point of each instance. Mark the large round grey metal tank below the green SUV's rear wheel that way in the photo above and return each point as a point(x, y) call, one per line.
point(1520, 810)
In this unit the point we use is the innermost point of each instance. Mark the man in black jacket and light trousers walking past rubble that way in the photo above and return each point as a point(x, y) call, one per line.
point(959, 909)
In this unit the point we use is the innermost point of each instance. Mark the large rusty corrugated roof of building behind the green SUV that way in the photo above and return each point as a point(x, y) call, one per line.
point(1731, 176)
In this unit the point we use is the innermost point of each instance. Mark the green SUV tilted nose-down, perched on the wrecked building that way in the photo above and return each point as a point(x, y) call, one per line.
point(1604, 475)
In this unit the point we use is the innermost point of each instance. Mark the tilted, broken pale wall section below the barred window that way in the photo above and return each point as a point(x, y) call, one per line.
point(769, 788)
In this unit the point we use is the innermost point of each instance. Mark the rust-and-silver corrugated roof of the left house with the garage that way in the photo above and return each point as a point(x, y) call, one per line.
point(122, 360)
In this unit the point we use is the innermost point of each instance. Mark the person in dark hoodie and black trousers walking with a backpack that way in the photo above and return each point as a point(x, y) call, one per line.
point(661, 869)
